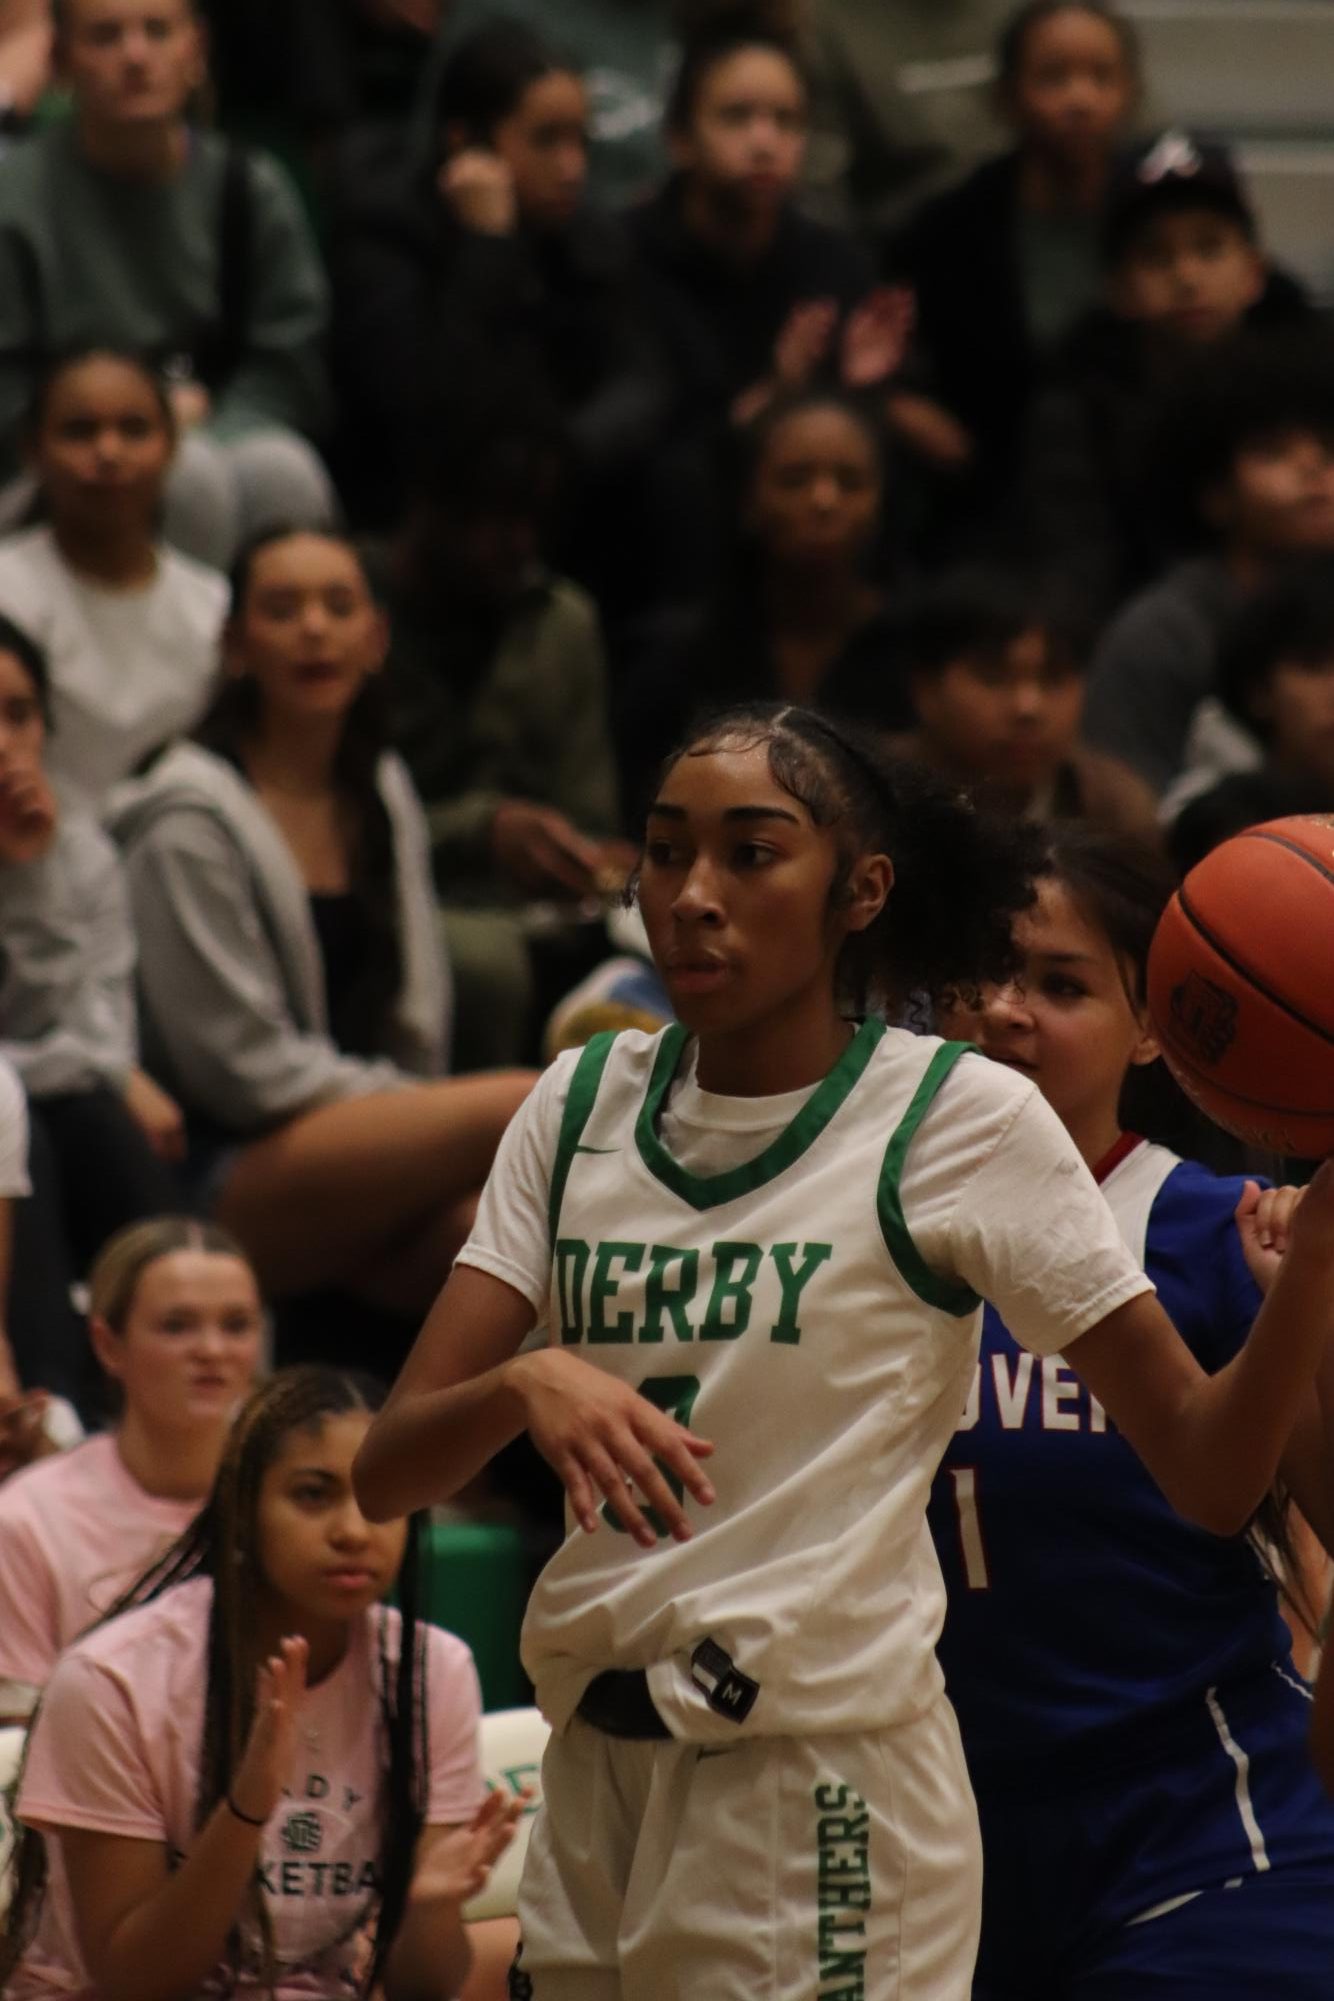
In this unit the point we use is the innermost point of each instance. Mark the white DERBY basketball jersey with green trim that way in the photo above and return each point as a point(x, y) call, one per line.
point(783, 1312)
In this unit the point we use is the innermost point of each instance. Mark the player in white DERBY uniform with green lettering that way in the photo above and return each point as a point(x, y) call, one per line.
point(759, 1242)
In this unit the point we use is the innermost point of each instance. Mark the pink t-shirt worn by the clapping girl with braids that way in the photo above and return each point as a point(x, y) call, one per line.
point(117, 1750)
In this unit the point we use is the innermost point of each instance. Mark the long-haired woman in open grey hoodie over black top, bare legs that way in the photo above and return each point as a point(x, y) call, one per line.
point(293, 985)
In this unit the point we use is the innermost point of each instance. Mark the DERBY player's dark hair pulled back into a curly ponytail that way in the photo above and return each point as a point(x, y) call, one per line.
point(961, 875)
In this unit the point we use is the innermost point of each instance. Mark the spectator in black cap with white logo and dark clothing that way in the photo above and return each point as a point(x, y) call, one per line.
point(1185, 271)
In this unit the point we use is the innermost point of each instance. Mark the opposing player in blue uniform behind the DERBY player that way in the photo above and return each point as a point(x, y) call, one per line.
point(1133, 1722)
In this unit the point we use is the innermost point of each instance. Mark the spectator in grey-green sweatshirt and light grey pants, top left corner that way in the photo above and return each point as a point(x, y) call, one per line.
point(127, 227)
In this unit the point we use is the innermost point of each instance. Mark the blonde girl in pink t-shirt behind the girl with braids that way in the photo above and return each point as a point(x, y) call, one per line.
point(175, 1320)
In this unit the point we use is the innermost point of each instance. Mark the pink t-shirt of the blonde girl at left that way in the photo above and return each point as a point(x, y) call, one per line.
point(75, 1534)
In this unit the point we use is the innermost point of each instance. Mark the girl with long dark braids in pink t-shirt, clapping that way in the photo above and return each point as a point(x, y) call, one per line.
point(255, 1778)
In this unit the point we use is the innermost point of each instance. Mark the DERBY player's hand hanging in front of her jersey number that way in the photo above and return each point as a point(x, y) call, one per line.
point(607, 1442)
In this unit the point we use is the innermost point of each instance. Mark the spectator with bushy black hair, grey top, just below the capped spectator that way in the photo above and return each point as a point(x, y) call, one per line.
point(1247, 477)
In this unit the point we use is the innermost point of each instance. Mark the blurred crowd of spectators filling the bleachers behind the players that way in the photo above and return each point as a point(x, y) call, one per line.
point(413, 417)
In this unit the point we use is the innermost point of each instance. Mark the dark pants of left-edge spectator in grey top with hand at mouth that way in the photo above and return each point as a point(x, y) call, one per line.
point(93, 1174)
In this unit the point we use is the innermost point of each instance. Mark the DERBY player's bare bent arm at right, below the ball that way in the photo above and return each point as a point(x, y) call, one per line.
point(1215, 1444)
